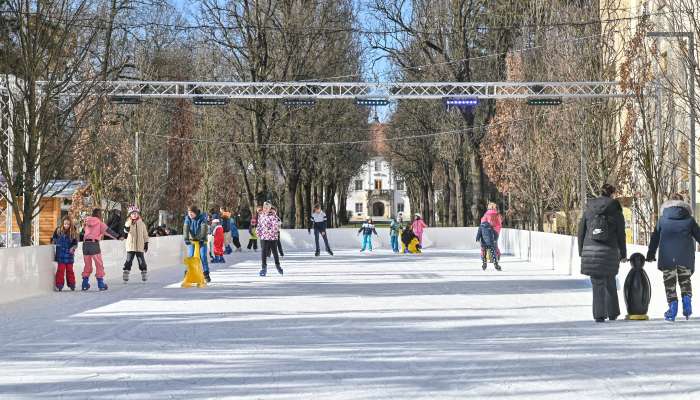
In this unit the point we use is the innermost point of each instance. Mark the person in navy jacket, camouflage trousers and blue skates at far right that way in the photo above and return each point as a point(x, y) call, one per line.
point(675, 236)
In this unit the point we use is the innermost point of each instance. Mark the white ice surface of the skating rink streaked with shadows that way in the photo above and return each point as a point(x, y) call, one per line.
point(353, 326)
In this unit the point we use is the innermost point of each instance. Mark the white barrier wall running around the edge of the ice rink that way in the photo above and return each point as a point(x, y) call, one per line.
point(29, 271)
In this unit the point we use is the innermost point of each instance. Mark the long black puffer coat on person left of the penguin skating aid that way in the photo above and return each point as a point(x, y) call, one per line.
point(602, 258)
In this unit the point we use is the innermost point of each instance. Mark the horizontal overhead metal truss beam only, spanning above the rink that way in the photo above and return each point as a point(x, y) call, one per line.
point(352, 90)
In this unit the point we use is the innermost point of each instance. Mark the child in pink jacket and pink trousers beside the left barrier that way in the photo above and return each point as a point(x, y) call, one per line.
point(95, 230)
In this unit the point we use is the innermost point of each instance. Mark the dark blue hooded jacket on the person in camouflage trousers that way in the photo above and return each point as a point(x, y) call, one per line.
point(675, 237)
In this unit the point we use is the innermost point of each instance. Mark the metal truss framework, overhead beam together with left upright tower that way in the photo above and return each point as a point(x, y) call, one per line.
point(390, 91)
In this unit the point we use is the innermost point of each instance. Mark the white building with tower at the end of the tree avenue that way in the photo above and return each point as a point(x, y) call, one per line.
point(377, 191)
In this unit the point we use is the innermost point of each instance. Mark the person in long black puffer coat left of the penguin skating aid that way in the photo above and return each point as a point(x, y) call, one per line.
point(601, 246)
